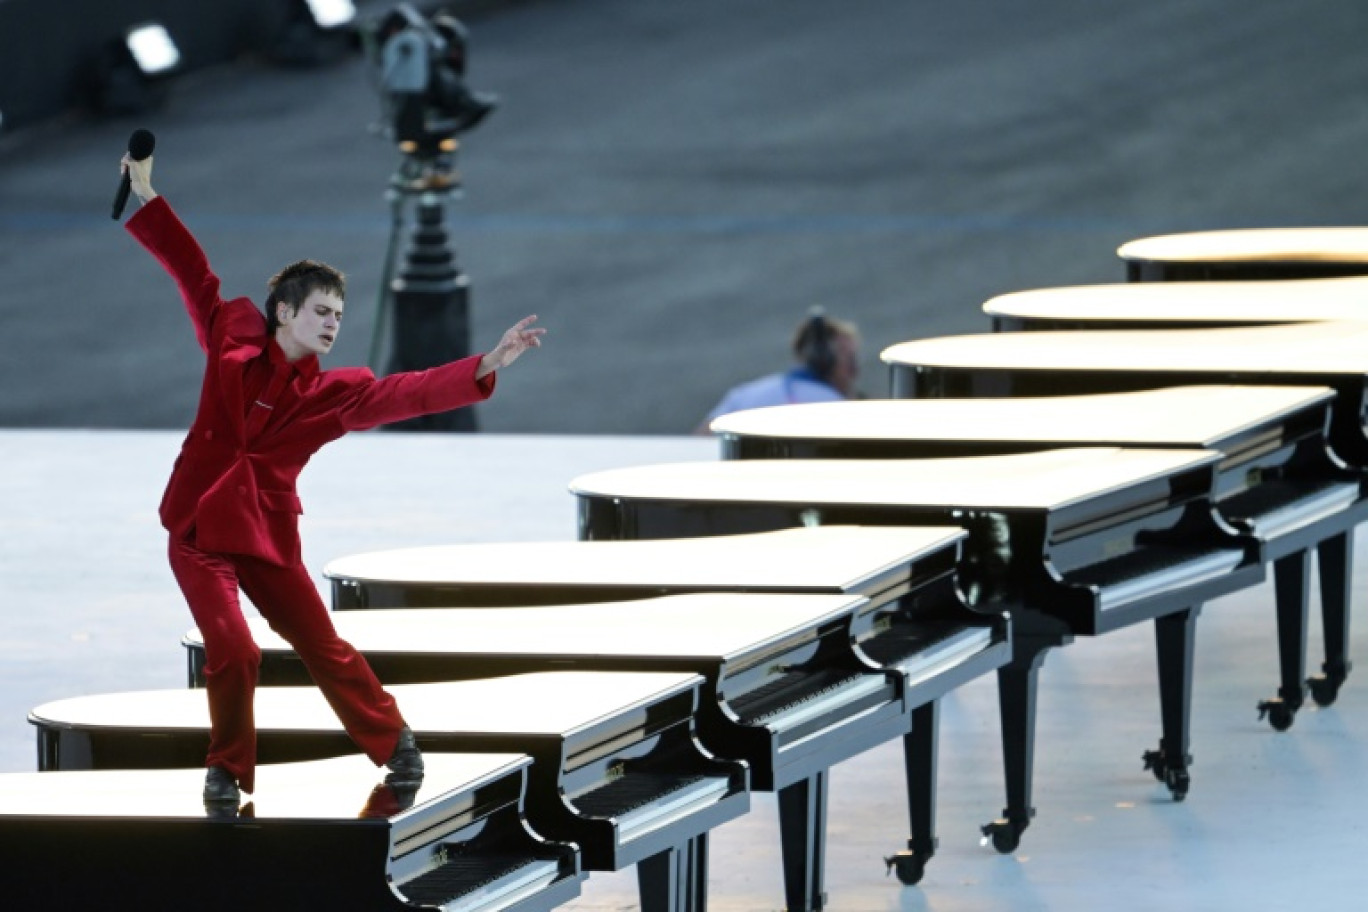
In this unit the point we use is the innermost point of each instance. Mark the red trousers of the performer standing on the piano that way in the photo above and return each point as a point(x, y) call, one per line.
point(291, 604)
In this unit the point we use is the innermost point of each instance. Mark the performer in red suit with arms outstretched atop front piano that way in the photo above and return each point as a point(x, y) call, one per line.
point(232, 508)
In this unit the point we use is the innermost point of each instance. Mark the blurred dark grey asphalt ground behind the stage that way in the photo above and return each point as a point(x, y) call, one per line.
point(672, 185)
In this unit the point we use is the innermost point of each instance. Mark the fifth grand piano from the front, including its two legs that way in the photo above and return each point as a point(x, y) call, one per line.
point(1070, 542)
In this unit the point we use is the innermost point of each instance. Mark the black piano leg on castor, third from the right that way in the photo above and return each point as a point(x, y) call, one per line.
point(1174, 635)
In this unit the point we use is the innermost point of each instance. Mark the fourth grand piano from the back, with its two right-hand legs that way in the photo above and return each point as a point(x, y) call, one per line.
point(1277, 479)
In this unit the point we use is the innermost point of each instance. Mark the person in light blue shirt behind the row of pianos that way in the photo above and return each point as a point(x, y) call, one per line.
point(828, 364)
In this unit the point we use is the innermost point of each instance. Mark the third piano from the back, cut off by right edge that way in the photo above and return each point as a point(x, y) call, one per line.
point(1046, 364)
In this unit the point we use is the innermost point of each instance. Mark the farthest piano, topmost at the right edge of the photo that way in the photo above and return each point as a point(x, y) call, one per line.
point(1248, 254)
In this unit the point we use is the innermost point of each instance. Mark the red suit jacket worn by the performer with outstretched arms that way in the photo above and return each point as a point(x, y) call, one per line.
point(235, 482)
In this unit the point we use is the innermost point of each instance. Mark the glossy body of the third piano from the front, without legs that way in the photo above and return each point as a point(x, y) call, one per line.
point(752, 650)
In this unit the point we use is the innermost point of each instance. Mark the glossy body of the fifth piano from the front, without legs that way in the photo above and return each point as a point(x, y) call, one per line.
point(1157, 501)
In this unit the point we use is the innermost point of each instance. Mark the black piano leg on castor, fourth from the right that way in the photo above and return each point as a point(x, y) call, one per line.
point(1017, 686)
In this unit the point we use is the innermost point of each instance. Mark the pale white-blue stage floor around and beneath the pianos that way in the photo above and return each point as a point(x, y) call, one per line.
point(1273, 821)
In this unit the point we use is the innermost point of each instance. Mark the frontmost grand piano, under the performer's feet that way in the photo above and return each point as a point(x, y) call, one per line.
point(324, 835)
